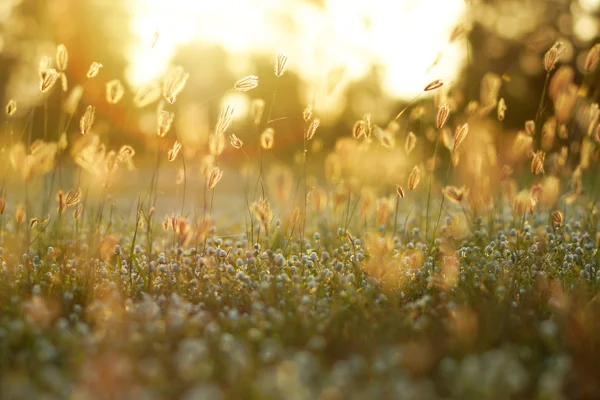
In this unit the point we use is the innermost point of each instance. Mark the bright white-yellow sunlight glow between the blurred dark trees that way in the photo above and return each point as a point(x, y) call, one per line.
point(404, 37)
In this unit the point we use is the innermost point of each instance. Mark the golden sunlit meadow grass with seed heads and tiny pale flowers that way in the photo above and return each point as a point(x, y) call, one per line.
point(346, 298)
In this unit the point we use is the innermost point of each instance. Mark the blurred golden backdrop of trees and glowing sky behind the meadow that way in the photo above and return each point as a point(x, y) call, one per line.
point(348, 58)
